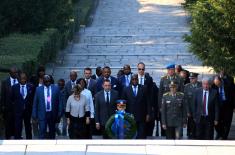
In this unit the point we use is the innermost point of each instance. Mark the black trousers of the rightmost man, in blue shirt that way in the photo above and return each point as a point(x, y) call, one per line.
point(225, 120)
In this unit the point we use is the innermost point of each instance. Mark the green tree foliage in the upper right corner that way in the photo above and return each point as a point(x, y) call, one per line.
point(213, 33)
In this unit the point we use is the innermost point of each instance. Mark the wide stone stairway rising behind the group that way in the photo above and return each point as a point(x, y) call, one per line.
point(127, 32)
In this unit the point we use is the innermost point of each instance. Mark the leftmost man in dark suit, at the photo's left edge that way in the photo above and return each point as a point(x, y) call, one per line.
point(6, 102)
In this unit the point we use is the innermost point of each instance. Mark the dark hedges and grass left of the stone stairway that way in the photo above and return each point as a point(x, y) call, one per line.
point(34, 34)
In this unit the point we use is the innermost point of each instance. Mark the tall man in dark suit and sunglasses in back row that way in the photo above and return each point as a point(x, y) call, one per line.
point(146, 80)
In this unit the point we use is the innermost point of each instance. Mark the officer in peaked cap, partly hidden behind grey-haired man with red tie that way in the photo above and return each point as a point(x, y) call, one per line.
point(188, 92)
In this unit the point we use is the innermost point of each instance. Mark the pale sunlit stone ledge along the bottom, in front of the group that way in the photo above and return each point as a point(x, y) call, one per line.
point(117, 147)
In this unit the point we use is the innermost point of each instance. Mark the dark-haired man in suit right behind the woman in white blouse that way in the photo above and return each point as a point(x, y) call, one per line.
point(91, 83)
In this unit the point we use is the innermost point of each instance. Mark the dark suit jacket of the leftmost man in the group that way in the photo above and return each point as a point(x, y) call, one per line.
point(6, 102)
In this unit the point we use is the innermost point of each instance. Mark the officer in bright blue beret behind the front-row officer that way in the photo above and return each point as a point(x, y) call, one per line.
point(164, 86)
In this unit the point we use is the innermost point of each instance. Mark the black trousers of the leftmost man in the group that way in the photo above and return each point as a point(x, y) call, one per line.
point(9, 123)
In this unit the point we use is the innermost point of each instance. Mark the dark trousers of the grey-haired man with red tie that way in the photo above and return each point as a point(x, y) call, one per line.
point(205, 129)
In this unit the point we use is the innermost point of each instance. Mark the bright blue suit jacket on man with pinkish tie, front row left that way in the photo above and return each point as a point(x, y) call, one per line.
point(39, 109)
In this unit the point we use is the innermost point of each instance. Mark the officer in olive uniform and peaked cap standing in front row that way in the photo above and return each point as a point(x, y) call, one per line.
point(173, 112)
